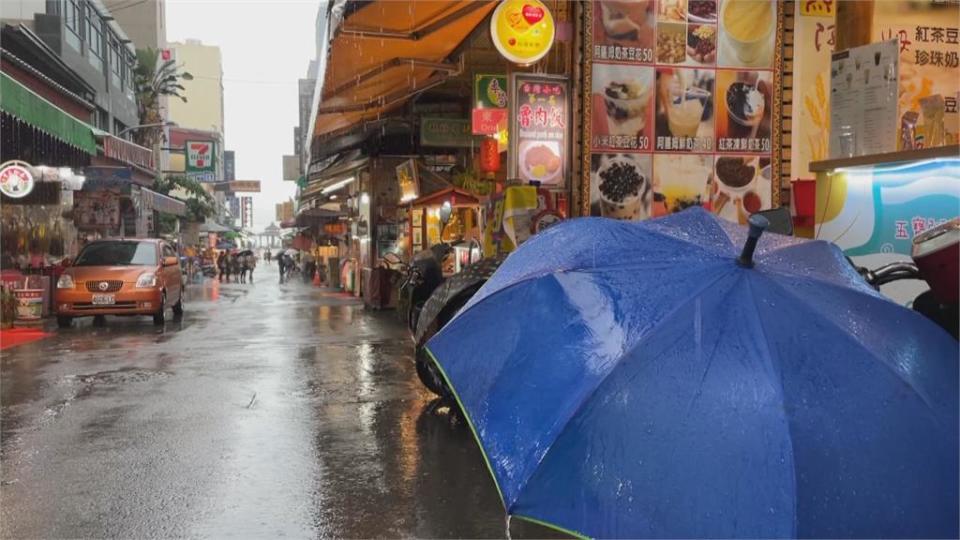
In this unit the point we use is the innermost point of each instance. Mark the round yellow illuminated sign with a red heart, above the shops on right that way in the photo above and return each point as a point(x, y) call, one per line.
point(522, 30)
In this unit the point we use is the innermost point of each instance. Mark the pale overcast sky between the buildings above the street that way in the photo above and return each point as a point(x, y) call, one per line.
point(266, 46)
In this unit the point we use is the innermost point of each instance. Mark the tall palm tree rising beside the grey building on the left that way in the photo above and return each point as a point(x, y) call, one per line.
point(153, 81)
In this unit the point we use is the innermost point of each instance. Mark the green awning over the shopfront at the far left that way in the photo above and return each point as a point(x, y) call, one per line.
point(23, 103)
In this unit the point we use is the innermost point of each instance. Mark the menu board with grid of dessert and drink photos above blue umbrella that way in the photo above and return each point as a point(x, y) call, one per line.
point(681, 107)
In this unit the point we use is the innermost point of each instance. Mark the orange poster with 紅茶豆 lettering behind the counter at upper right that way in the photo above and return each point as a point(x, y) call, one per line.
point(929, 37)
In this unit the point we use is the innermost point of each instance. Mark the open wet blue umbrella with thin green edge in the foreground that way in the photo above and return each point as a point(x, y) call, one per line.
point(633, 380)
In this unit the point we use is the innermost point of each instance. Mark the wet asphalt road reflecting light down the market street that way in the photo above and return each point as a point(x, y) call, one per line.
point(267, 411)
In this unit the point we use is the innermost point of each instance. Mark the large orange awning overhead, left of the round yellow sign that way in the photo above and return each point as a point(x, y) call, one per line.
point(386, 51)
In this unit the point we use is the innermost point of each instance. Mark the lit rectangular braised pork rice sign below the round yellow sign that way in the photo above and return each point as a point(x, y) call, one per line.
point(539, 133)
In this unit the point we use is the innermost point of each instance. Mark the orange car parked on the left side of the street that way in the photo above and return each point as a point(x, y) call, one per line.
point(121, 277)
